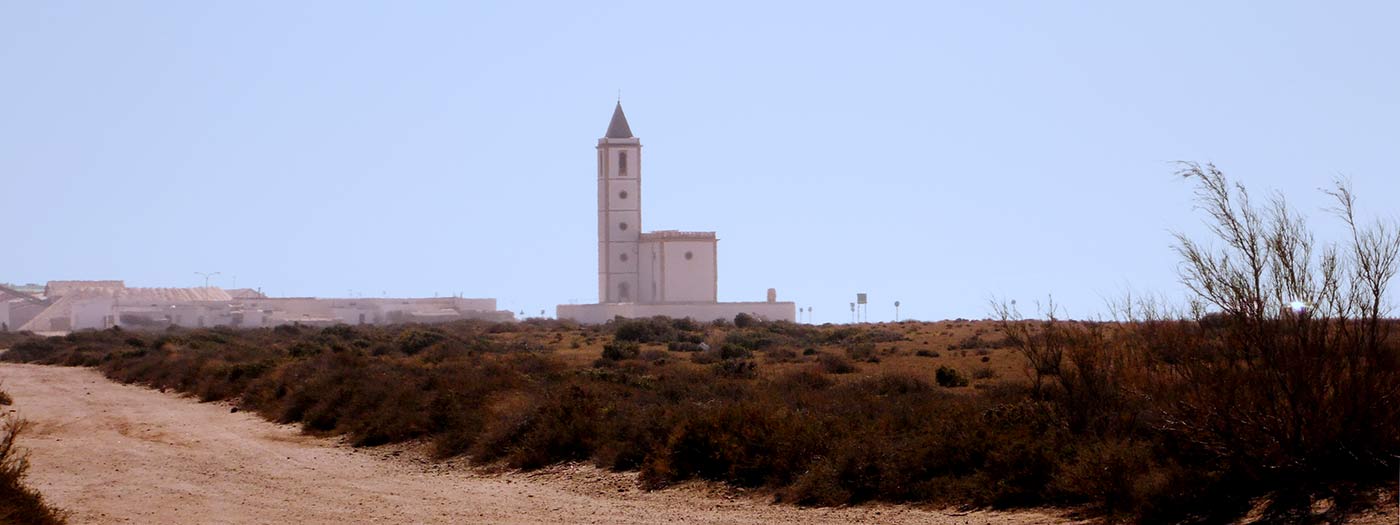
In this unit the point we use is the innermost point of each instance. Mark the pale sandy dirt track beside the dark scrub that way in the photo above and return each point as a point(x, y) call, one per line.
point(115, 454)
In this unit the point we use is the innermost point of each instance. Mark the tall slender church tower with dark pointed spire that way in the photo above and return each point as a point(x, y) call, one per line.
point(619, 211)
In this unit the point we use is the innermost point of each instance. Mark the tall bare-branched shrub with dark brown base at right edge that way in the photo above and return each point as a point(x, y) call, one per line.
point(1289, 374)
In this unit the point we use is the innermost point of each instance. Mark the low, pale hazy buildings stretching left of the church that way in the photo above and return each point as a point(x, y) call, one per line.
point(76, 306)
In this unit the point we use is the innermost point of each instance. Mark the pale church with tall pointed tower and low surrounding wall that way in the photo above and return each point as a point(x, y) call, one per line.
point(640, 275)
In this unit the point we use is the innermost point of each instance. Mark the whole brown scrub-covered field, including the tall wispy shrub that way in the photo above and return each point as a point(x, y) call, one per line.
point(1277, 391)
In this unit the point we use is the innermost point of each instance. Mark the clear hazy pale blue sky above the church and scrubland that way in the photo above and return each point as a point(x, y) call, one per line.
point(933, 153)
